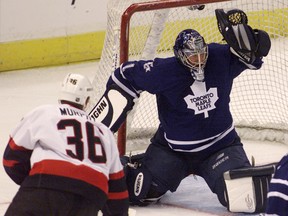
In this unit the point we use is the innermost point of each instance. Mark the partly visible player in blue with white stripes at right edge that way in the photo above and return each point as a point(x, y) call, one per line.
point(277, 203)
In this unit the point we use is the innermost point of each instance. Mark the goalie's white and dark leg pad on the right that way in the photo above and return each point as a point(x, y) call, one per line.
point(246, 189)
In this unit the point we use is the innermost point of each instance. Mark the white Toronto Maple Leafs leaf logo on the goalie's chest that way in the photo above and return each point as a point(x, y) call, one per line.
point(202, 100)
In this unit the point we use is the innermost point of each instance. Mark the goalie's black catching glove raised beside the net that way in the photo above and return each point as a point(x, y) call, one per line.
point(244, 42)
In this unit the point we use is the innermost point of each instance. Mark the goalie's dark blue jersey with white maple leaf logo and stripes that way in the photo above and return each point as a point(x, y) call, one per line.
point(193, 115)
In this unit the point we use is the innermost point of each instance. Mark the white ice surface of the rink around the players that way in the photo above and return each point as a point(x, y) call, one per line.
point(23, 90)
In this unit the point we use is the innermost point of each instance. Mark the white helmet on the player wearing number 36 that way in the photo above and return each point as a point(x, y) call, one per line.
point(76, 88)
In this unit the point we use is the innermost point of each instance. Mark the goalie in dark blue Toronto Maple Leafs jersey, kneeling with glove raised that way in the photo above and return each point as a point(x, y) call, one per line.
point(196, 132)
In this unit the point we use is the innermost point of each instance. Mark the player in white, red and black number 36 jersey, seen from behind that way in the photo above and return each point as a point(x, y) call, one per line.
point(64, 162)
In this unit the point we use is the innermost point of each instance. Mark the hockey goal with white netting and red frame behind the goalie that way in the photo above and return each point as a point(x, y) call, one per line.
point(144, 30)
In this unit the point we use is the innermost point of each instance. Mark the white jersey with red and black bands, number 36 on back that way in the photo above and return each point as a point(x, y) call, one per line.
point(60, 147)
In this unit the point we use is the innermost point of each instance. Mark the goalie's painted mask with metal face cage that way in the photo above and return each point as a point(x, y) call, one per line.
point(191, 50)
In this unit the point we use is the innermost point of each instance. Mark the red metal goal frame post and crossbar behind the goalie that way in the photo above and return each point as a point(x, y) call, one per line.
point(124, 40)
